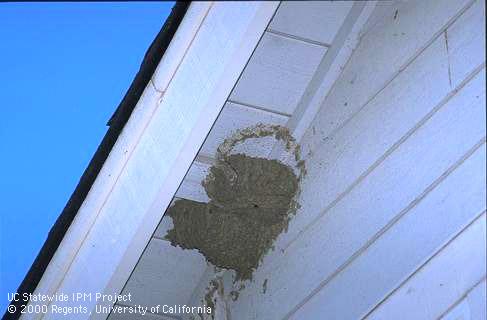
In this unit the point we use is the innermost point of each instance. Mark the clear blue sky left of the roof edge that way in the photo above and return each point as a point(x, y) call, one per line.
point(63, 70)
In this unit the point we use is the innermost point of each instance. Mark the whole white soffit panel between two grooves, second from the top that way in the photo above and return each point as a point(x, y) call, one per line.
point(277, 74)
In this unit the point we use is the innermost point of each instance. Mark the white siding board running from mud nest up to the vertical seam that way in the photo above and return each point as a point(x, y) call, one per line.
point(345, 156)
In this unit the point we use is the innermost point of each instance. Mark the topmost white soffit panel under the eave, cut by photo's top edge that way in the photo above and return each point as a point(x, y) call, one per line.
point(314, 20)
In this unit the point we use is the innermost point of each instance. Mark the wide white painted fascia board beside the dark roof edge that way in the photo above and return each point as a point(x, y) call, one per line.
point(155, 149)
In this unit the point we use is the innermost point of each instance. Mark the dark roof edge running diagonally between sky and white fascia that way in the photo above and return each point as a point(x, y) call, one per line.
point(116, 124)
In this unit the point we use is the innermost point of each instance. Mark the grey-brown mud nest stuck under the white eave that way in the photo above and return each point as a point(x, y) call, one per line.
point(250, 204)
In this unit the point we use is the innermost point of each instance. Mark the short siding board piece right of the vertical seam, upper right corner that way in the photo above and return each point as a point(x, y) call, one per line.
point(466, 42)
